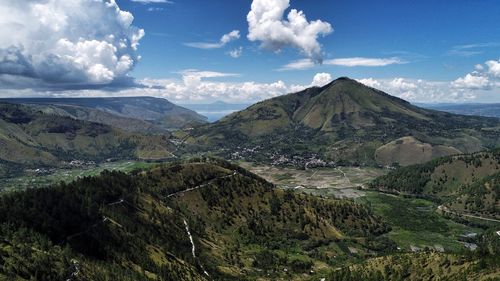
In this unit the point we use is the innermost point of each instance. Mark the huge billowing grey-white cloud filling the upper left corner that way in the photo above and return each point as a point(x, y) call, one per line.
point(52, 43)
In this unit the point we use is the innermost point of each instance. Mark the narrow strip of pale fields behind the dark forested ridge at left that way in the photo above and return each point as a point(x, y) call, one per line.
point(31, 180)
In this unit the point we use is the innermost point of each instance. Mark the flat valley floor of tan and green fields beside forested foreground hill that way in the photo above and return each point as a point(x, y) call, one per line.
point(416, 223)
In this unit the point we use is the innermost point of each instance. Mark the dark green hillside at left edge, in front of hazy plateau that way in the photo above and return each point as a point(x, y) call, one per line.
point(30, 138)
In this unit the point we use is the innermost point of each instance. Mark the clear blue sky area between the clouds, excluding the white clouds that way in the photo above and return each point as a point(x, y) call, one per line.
point(422, 32)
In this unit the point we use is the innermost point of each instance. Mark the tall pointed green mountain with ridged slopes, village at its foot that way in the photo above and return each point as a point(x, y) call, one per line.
point(345, 122)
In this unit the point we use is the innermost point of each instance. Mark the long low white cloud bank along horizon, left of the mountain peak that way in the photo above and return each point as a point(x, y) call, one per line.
point(192, 87)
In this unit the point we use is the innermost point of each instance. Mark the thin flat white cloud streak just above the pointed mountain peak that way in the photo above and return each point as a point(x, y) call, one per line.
point(303, 64)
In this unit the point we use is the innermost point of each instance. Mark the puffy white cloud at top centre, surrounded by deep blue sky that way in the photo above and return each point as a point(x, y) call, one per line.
point(266, 25)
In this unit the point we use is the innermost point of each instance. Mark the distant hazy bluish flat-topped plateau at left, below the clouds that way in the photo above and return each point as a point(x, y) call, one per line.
point(134, 114)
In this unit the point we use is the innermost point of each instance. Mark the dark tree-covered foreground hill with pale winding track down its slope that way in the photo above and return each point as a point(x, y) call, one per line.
point(204, 219)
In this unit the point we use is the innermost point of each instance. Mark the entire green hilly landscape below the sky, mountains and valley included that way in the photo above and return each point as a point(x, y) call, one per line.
point(137, 201)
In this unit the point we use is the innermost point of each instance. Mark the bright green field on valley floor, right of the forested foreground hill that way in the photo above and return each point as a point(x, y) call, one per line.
point(416, 222)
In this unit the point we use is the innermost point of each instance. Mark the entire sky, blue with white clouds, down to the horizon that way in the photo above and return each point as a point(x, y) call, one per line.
point(195, 51)
